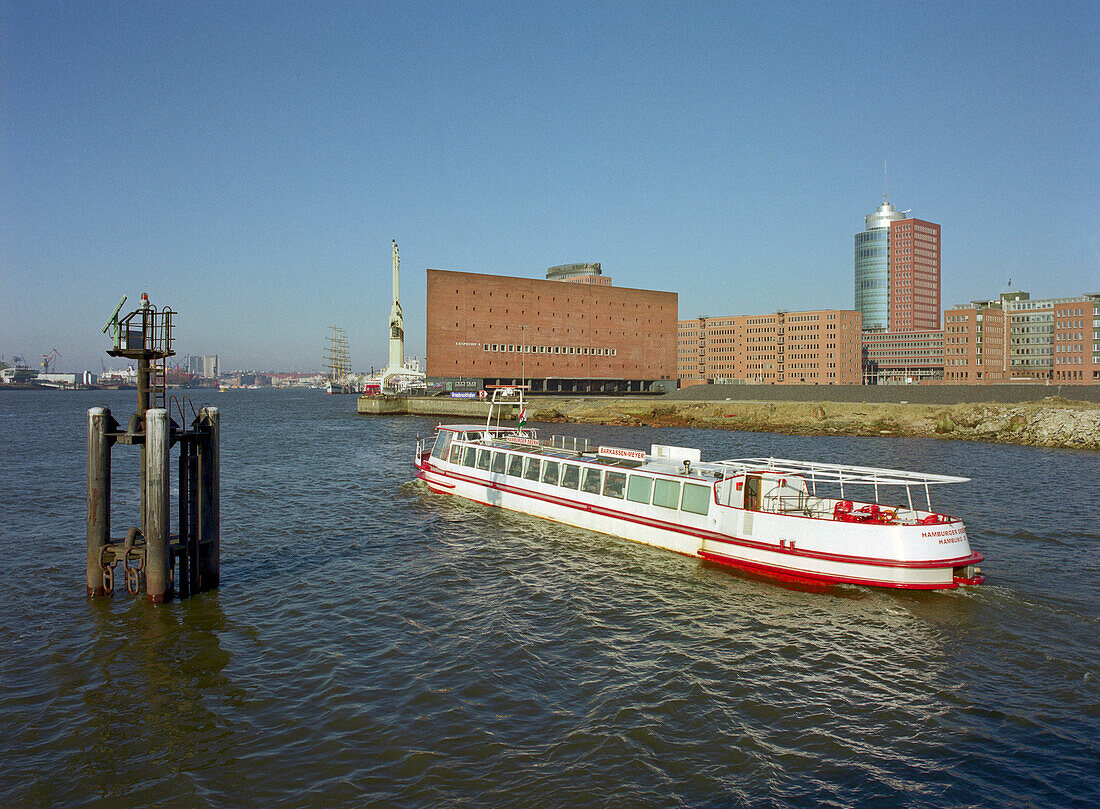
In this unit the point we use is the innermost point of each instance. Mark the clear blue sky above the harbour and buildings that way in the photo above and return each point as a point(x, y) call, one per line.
point(248, 163)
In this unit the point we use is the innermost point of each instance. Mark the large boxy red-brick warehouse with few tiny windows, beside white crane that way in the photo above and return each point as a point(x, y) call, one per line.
point(555, 336)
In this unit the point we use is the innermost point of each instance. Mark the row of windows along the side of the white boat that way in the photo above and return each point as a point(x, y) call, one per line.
point(611, 484)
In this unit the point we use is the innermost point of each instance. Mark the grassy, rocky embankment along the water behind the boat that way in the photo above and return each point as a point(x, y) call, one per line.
point(1053, 422)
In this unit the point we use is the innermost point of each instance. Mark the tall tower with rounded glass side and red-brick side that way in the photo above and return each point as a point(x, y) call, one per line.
point(898, 272)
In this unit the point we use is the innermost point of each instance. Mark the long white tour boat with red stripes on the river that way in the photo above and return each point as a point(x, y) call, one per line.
point(786, 519)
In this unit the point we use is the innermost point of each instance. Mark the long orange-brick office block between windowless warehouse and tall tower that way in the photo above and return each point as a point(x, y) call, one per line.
point(793, 348)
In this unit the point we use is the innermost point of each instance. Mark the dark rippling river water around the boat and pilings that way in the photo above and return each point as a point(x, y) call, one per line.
point(375, 644)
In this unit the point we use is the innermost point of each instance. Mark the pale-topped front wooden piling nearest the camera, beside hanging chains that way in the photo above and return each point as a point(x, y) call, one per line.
point(158, 512)
